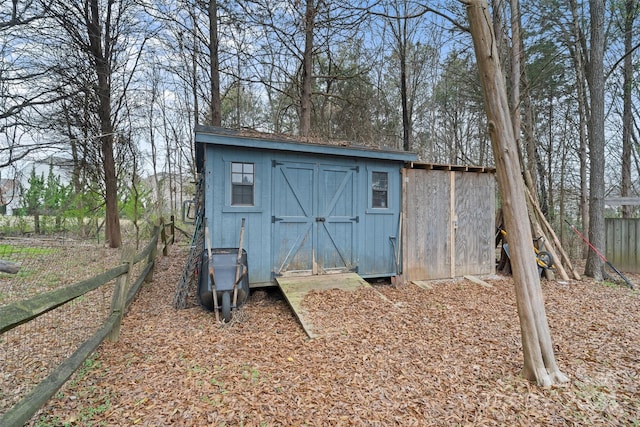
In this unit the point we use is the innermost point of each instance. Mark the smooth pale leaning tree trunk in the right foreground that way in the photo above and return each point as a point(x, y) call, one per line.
point(539, 360)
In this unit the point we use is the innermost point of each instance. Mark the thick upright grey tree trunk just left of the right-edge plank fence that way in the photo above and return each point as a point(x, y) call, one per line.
point(595, 78)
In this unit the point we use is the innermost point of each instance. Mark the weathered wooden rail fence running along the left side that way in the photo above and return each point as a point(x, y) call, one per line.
point(21, 312)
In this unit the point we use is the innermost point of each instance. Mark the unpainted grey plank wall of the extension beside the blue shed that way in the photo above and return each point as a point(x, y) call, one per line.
point(449, 224)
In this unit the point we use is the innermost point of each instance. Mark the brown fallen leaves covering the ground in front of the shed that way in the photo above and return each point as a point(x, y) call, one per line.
point(445, 356)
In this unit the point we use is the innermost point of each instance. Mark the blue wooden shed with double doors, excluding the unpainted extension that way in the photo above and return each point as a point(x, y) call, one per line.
point(309, 209)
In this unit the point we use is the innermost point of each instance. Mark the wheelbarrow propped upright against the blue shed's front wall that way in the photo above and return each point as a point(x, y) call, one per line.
point(224, 279)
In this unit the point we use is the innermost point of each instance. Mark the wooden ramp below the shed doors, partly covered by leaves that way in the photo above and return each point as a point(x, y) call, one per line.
point(295, 288)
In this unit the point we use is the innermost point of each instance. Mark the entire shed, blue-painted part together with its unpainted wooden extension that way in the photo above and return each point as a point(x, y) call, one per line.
point(313, 209)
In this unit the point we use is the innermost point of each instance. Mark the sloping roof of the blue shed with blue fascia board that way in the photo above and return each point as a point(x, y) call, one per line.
point(253, 139)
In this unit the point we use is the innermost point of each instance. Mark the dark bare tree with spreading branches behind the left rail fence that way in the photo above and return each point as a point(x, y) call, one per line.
point(101, 33)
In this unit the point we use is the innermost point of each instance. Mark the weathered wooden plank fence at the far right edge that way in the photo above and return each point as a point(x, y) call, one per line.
point(623, 243)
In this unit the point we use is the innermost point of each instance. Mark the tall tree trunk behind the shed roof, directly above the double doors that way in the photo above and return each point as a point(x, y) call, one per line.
point(307, 70)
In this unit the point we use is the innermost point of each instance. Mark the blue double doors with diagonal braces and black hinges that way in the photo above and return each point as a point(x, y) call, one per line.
point(314, 221)
